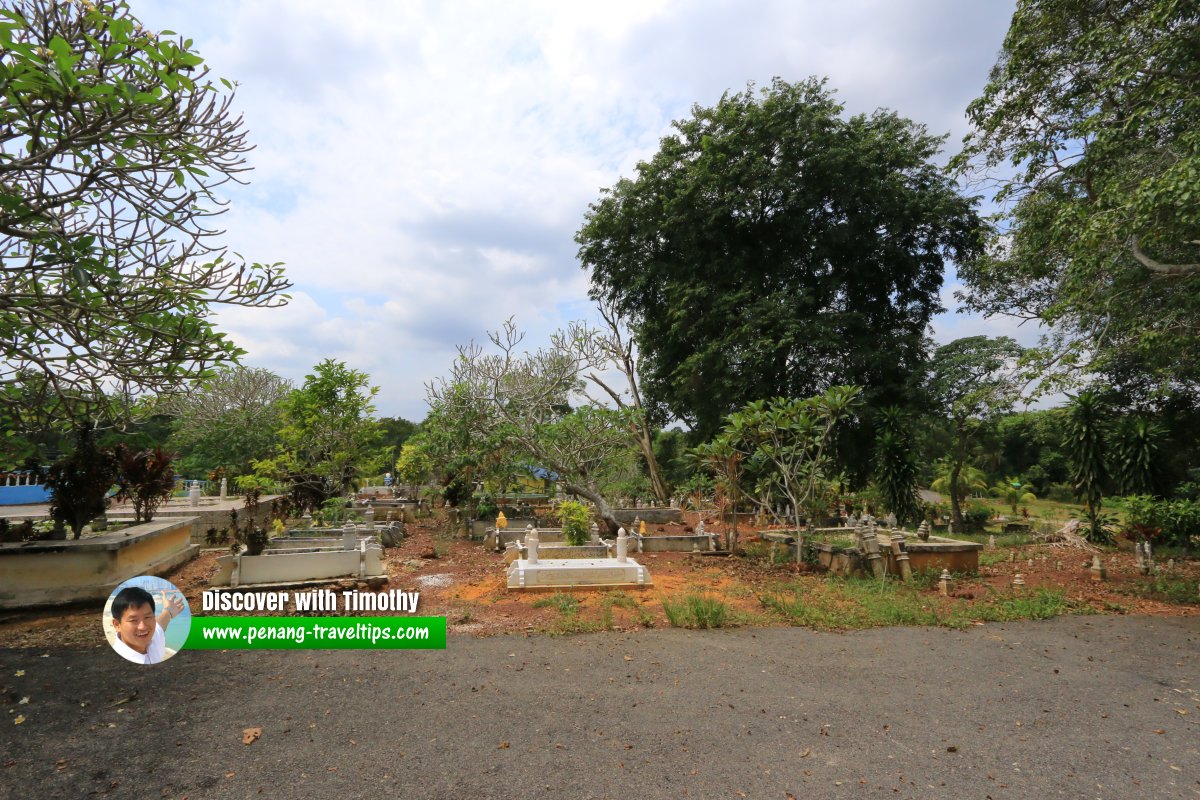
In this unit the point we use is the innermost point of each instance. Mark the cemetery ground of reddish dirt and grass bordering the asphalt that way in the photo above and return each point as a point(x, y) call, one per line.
point(464, 582)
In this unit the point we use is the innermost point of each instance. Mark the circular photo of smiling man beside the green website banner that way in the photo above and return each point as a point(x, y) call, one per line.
point(147, 619)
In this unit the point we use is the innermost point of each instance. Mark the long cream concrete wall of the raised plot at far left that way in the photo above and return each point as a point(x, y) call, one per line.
point(50, 574)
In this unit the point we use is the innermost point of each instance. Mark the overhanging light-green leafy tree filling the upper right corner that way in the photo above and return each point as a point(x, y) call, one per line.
point(1091, 124)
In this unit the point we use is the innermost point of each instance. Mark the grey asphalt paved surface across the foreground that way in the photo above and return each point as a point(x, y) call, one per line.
point(1079, 707)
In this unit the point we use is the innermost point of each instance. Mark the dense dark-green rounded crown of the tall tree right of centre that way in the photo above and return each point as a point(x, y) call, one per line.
point(773, 246)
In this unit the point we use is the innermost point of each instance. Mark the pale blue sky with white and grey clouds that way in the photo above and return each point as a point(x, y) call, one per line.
point(422, 169)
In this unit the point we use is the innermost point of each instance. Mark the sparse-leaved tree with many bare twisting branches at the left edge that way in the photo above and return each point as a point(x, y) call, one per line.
point(115, 149)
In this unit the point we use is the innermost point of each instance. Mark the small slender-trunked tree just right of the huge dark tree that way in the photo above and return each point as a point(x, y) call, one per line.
point(974, 381)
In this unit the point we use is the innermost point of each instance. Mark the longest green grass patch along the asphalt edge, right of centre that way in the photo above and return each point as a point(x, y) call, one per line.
point(851, 604)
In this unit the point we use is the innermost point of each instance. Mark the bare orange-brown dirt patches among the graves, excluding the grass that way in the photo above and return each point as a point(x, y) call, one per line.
point(465, 584)
